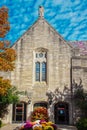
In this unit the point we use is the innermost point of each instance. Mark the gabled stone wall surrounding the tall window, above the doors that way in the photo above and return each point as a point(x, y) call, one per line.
point(41, 35)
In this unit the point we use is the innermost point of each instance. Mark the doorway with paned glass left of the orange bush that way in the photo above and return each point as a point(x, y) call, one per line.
point(19, 112)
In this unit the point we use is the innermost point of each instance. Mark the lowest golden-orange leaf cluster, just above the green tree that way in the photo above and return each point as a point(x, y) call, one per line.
point(4, 86)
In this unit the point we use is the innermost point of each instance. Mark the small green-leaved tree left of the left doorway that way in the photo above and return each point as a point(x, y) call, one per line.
point(11, 96)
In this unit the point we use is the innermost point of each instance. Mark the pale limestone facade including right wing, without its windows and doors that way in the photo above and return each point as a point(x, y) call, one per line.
point(64, 63)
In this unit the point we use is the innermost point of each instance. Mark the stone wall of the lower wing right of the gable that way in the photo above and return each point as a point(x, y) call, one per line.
point(79, 69)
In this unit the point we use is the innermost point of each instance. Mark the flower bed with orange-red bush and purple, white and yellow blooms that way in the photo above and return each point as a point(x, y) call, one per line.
point(39, 120)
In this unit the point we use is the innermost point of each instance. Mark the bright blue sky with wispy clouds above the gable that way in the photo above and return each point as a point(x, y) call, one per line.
point(68, 17)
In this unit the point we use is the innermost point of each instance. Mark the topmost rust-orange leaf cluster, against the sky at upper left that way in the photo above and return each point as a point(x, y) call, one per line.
point(4, 24)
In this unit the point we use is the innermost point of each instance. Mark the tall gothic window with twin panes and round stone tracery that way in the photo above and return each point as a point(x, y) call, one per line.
point(41, 66)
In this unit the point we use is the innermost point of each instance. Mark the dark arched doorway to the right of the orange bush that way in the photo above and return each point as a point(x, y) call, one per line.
point(61, 113)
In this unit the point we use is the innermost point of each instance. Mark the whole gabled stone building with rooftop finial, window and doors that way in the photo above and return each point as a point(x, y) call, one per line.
point(45, 63)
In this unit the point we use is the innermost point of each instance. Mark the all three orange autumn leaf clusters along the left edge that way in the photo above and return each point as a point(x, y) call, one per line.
point(7, 55)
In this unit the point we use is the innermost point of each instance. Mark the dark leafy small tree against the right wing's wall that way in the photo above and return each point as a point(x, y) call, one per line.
point(80, 97)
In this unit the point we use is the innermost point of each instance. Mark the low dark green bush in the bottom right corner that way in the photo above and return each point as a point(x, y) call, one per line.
point(82, 124)
